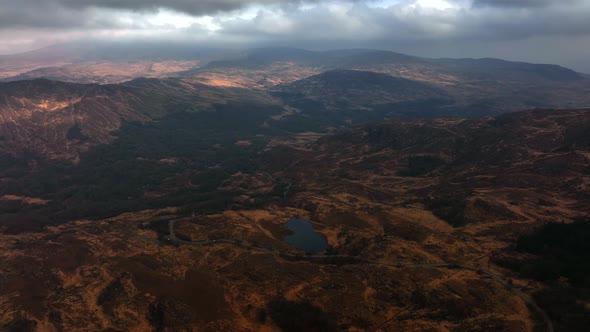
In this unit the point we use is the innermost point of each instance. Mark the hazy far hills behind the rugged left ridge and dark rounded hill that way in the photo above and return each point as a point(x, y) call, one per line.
point(477, 86)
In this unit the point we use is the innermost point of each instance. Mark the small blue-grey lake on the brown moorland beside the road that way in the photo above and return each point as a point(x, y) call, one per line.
point(304, 237)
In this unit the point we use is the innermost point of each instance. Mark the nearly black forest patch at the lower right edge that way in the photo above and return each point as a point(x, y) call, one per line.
point(562, 251)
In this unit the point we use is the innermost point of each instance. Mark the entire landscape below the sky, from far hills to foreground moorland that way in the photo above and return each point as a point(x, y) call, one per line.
point(432, 194)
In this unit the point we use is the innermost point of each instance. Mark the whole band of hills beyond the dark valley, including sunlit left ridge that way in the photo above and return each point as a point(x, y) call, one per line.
point(312, 90)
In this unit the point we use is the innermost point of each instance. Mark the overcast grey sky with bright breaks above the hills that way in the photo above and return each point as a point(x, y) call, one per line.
point(547, 31)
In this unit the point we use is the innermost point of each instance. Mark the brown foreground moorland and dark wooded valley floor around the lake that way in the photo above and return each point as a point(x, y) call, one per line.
point(425, 196)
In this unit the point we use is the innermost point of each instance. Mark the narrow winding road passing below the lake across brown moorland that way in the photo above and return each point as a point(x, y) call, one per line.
point(526, 298)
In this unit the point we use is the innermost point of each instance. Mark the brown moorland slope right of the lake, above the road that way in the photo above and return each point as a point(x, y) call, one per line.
point(496, 181)
